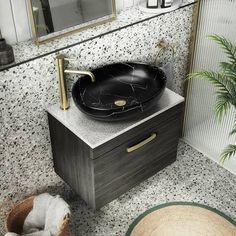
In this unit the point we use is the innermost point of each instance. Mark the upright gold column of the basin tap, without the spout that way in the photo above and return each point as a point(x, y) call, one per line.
point(64, 102)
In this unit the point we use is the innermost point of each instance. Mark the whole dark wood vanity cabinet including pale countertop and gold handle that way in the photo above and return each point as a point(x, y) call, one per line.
point(92, 156)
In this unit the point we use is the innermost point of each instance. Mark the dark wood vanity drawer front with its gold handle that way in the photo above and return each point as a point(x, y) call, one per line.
point(144, 150)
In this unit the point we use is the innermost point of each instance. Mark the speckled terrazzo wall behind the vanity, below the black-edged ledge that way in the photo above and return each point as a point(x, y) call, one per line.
point(25, 154)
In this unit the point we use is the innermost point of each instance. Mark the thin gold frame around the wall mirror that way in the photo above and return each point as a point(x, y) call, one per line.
point(88, 25)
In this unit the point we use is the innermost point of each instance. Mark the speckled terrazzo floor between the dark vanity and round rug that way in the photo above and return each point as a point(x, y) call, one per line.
point(193, 178)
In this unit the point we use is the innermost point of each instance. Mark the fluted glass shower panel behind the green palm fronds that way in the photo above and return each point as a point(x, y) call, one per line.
point(201, 130)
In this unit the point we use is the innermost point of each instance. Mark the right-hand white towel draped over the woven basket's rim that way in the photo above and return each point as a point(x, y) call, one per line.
point(56, 212)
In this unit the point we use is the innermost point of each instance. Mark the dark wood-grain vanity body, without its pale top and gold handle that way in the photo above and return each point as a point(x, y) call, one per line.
point(102, 174)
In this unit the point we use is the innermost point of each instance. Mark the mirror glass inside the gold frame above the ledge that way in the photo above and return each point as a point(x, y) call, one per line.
point(52, 16)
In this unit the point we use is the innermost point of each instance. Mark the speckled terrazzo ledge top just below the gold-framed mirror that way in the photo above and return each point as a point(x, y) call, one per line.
point(27, 50)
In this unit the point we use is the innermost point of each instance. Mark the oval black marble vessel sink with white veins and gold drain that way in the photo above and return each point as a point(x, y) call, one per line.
point(121, 91)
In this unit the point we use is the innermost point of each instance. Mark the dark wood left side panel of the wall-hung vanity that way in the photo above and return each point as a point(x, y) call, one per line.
point(72, 160)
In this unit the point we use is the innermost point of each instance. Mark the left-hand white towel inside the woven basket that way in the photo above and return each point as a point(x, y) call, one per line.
point(36, 218)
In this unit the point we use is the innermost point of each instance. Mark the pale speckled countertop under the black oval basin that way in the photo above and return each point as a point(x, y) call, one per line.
point(95, 133)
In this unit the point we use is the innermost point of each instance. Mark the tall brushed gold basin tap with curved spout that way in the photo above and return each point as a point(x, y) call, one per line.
point(61, 71)
